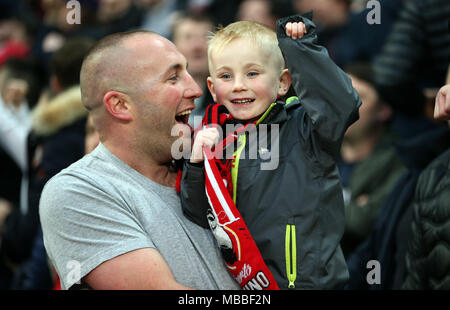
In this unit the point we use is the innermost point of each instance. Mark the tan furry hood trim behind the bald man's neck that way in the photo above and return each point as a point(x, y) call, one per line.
point(60, 111)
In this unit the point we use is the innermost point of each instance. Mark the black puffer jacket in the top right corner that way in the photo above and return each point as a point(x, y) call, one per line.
point(415, 55)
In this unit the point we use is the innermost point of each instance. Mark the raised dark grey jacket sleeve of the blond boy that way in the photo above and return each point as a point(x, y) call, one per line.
point(325, 91)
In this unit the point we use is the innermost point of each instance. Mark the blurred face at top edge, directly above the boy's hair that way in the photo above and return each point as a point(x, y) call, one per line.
point(257, 11)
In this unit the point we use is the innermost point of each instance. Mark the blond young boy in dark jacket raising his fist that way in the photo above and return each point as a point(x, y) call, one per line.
point(294, 213)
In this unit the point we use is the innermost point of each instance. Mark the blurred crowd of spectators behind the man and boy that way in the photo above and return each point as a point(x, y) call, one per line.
point(397, 65)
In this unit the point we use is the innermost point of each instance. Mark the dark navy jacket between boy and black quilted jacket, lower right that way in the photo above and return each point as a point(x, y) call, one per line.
point(385, 243)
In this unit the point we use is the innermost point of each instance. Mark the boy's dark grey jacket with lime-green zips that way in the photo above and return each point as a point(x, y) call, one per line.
point(304, 191)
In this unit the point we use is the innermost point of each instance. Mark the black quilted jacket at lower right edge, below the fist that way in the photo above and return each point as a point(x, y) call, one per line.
point(428, 256)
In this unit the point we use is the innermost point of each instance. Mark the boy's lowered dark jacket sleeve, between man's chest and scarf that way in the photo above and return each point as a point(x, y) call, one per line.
point(193, 196)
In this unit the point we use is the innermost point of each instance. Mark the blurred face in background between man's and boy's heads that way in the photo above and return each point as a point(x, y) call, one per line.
point(190, 37)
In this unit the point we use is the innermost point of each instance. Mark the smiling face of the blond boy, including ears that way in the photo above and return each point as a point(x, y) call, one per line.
point(246, 79)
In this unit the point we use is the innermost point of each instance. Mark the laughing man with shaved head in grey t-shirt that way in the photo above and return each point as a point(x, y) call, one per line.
point(113, 220)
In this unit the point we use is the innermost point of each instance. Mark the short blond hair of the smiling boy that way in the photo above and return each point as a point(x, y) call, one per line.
point(259, 35)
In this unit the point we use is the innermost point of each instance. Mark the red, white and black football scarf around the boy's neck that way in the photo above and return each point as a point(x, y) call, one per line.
point(240, 251)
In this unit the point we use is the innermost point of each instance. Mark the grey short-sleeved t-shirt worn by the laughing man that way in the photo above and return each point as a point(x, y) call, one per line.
point(99, 208)
